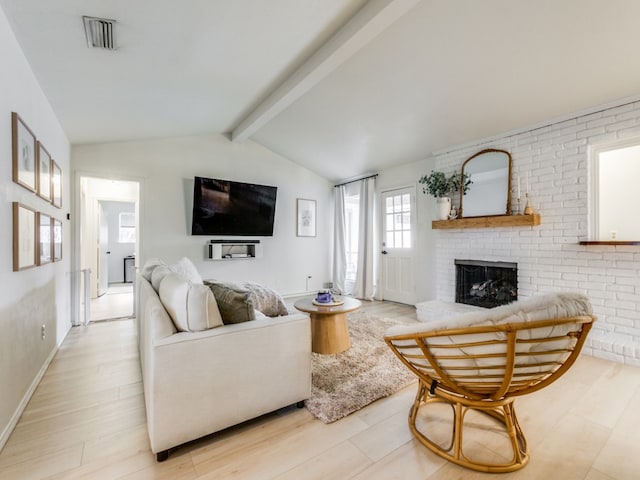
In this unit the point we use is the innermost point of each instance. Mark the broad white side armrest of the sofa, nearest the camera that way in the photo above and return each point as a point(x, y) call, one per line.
point(206, 381)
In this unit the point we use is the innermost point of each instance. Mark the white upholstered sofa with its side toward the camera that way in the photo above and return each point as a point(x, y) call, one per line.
point(200, 382)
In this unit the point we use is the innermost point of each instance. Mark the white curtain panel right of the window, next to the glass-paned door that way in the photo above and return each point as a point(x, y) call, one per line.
point(367, 268)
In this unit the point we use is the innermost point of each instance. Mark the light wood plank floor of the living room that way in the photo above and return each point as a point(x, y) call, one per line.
point(87, 420)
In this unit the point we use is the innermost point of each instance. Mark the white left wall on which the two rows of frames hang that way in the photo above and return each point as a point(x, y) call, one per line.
point(37, 296)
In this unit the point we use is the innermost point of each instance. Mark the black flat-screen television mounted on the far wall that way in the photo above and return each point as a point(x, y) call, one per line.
point(222, 207)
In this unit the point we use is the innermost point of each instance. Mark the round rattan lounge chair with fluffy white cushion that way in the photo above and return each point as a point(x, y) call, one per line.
point(483, 361)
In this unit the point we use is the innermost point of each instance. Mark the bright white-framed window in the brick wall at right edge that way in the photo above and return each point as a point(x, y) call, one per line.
point(615, 169)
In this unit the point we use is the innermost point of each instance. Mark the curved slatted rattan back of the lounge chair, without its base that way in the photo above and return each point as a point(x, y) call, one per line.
point(494, 362)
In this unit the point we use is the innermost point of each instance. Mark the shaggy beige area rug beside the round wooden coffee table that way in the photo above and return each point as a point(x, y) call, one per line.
point(345, 382)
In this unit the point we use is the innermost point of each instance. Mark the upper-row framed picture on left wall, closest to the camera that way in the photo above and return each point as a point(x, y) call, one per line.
point(23, 153)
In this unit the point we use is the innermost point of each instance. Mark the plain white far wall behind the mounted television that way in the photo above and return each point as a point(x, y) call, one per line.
point(166, 168)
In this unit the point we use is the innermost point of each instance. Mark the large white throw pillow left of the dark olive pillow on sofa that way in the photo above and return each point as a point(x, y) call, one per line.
point(192, 306)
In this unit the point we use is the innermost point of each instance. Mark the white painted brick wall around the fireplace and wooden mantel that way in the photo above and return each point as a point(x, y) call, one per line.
point(555, 160)
